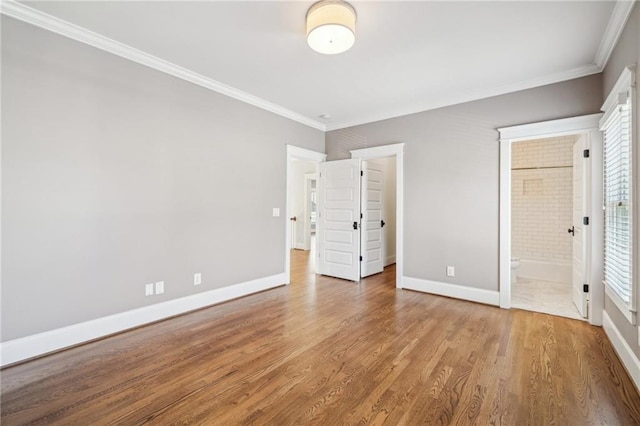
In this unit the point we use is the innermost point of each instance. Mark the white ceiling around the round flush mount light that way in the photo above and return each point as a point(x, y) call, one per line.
point(408, 56)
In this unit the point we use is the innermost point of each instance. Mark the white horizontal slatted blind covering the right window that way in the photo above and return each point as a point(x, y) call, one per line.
point(617, 199)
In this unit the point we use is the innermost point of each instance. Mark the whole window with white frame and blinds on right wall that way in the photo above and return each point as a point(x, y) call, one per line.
point(617, 125)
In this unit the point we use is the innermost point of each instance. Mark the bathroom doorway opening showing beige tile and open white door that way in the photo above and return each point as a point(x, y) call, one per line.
point(542, 225)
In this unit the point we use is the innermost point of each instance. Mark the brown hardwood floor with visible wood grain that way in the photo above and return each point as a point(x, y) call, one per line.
point(326, 351)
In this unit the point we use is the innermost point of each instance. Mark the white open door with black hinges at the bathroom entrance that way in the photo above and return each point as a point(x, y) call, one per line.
point(580, 229)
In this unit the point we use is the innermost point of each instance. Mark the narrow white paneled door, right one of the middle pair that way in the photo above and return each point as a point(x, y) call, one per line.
point(372, 221)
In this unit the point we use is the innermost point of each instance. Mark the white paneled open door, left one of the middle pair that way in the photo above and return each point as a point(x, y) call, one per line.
point(338, 221)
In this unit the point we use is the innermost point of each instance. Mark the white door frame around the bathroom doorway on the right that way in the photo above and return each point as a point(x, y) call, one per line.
point(588, 124)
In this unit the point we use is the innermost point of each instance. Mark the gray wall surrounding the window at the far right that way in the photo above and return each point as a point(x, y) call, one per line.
point(626, 52)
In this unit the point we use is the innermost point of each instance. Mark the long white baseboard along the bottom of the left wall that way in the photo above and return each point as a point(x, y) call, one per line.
point(27, 347)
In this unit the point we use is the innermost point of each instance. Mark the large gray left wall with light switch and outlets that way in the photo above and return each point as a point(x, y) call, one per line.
point(115, 175)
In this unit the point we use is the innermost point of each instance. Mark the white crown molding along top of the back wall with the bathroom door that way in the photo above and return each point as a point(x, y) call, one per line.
point(470, 96)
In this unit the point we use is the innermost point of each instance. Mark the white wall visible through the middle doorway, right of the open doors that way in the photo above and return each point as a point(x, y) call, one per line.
point(388, 166)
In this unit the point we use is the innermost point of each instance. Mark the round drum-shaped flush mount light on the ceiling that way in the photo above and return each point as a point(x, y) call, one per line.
point(331, 26)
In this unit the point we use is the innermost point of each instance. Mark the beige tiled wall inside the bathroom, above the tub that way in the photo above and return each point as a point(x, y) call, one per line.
point(542, 199)
